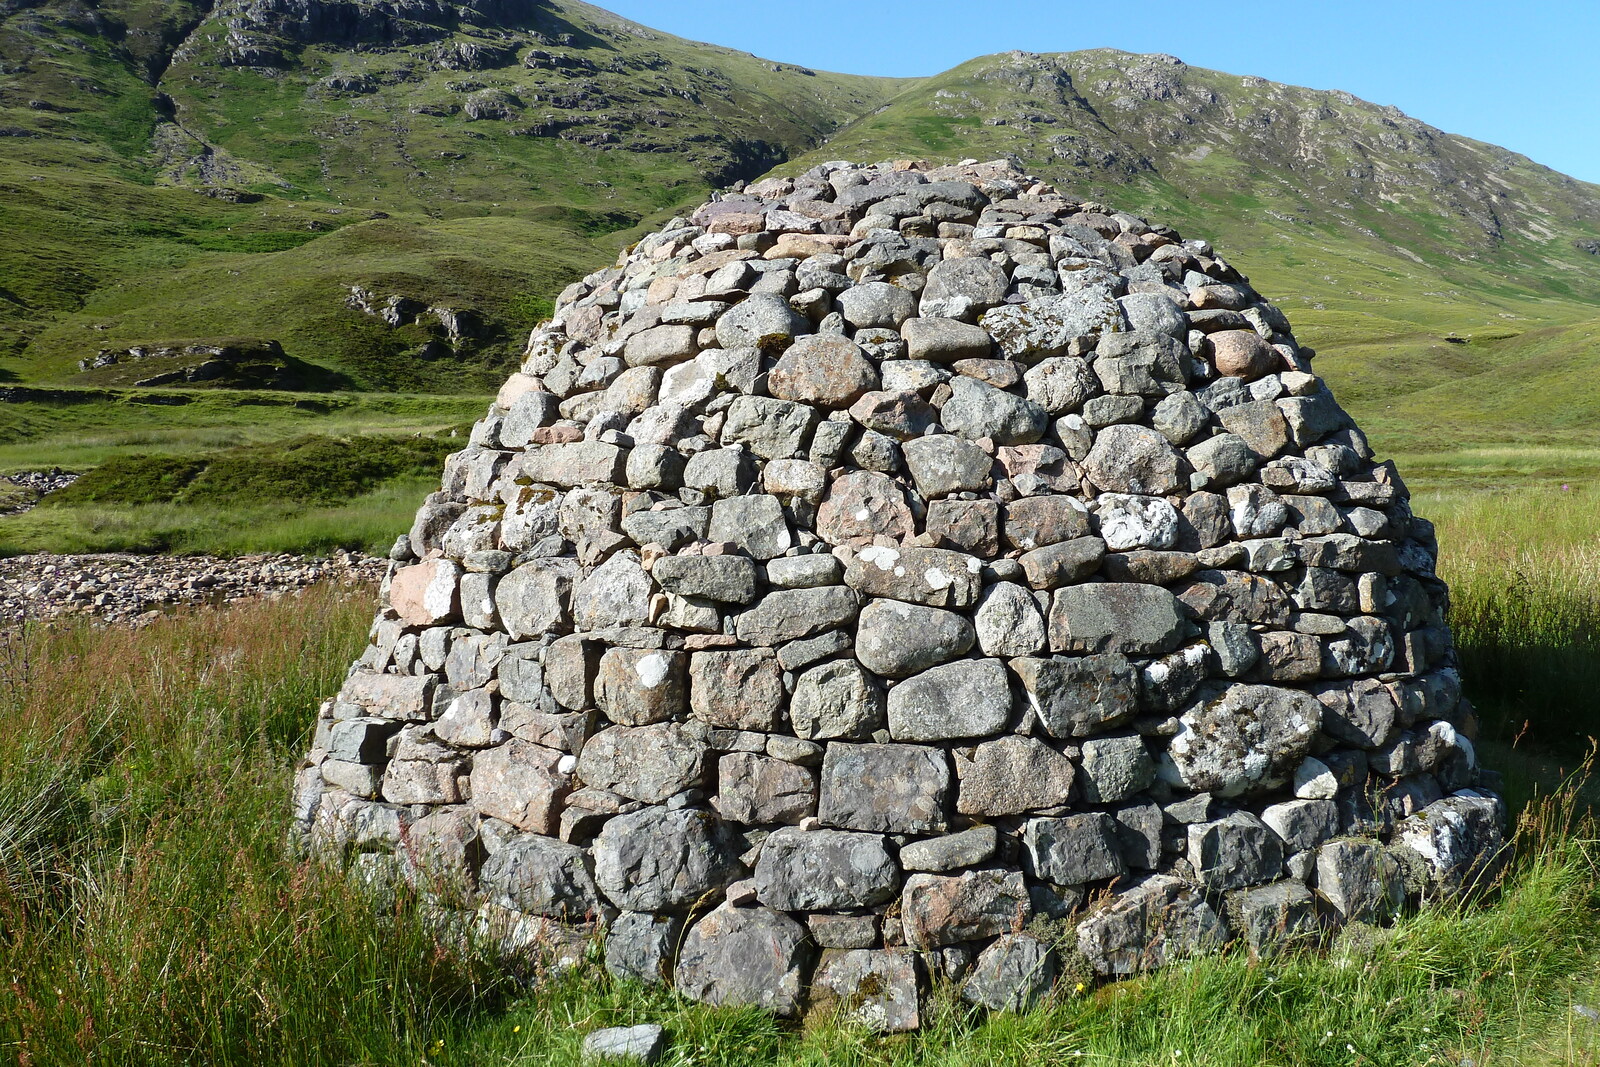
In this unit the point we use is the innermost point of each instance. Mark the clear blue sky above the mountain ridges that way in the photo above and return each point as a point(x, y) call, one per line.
point(1521, 76)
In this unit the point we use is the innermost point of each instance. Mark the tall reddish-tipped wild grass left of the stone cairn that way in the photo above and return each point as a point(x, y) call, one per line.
point(150, 913)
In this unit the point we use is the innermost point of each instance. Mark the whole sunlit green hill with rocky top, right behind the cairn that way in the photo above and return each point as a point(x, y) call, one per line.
point(1378, 234)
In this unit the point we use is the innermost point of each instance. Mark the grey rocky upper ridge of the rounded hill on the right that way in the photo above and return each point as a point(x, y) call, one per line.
point(1111, 121)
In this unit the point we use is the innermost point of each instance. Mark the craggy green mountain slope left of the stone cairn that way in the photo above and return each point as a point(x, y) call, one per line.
point(183, 174)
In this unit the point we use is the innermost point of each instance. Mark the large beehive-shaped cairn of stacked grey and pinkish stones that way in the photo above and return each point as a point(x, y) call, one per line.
point(900, 573)
